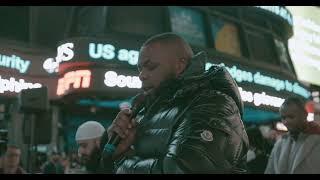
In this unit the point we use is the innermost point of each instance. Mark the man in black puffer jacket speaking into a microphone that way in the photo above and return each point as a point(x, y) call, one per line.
point(191, 119)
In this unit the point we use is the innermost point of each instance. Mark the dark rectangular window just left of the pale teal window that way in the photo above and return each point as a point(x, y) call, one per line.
point(140, 20)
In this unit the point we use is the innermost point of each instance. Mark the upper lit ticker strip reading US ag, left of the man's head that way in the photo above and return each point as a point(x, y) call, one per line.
point(106, 51)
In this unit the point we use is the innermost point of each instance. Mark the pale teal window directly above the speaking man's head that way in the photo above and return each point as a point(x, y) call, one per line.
point(189, 24)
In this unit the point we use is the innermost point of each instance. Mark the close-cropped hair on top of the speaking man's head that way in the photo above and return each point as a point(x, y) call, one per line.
point(174, 43)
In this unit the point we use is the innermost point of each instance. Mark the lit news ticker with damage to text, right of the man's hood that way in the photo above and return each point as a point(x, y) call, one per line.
point(260, 88)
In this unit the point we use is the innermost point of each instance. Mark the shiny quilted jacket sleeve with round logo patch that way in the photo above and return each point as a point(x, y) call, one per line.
point(209, 139)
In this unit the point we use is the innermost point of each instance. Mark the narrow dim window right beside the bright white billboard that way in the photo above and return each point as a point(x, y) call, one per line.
point(283, 56)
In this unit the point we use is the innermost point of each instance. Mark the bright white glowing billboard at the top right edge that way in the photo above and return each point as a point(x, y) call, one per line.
point(304, 46)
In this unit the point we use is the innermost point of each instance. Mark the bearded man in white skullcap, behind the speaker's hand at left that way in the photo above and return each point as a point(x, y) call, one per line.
point(88, 137)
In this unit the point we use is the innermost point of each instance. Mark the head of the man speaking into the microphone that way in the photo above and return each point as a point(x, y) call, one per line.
point(162, 58)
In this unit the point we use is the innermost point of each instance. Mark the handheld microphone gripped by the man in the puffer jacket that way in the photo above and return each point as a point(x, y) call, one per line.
point(137, 105)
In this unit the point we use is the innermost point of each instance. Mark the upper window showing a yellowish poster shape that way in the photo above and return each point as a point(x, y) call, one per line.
point(225, 37)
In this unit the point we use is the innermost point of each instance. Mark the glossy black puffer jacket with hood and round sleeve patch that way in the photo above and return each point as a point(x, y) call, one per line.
point(192, 126)
